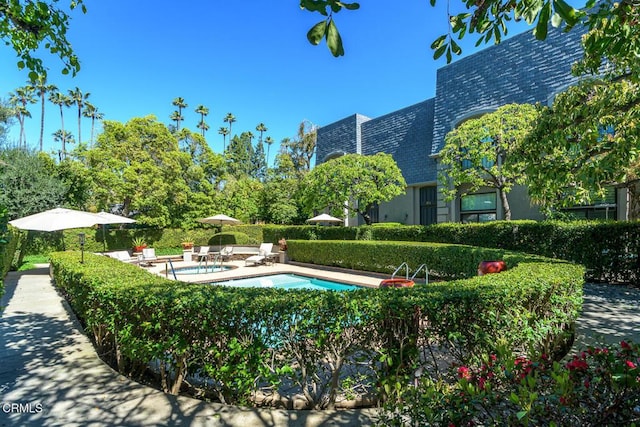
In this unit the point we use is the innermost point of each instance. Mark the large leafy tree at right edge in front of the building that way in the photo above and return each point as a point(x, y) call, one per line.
point(586, 141)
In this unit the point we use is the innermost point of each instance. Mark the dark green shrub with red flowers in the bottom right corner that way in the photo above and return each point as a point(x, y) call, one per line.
point(597, 387)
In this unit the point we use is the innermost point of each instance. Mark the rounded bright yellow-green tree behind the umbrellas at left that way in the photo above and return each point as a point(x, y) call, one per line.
point(139, 166)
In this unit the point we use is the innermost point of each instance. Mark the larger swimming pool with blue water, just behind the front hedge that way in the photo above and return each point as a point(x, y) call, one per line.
point(288, 281)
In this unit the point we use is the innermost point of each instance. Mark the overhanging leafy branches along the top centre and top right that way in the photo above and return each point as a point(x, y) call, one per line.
point(612, 24)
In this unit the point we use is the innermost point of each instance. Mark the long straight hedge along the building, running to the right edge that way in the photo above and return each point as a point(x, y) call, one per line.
point(609, 250)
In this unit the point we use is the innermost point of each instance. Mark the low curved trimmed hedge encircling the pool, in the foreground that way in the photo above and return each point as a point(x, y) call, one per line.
point(244, 342)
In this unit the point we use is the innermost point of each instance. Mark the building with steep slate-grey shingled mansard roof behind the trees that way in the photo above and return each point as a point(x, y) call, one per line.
point(519, 70)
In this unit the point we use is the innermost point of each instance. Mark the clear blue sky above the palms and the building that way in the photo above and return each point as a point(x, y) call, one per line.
point(250, 58)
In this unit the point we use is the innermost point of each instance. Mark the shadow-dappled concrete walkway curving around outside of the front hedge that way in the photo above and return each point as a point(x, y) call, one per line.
point(50, 374)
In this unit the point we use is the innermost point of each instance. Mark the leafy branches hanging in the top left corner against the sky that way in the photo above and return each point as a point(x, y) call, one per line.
point(28, 26)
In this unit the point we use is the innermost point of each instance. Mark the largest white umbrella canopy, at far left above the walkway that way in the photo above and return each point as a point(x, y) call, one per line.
point(56, 219)
